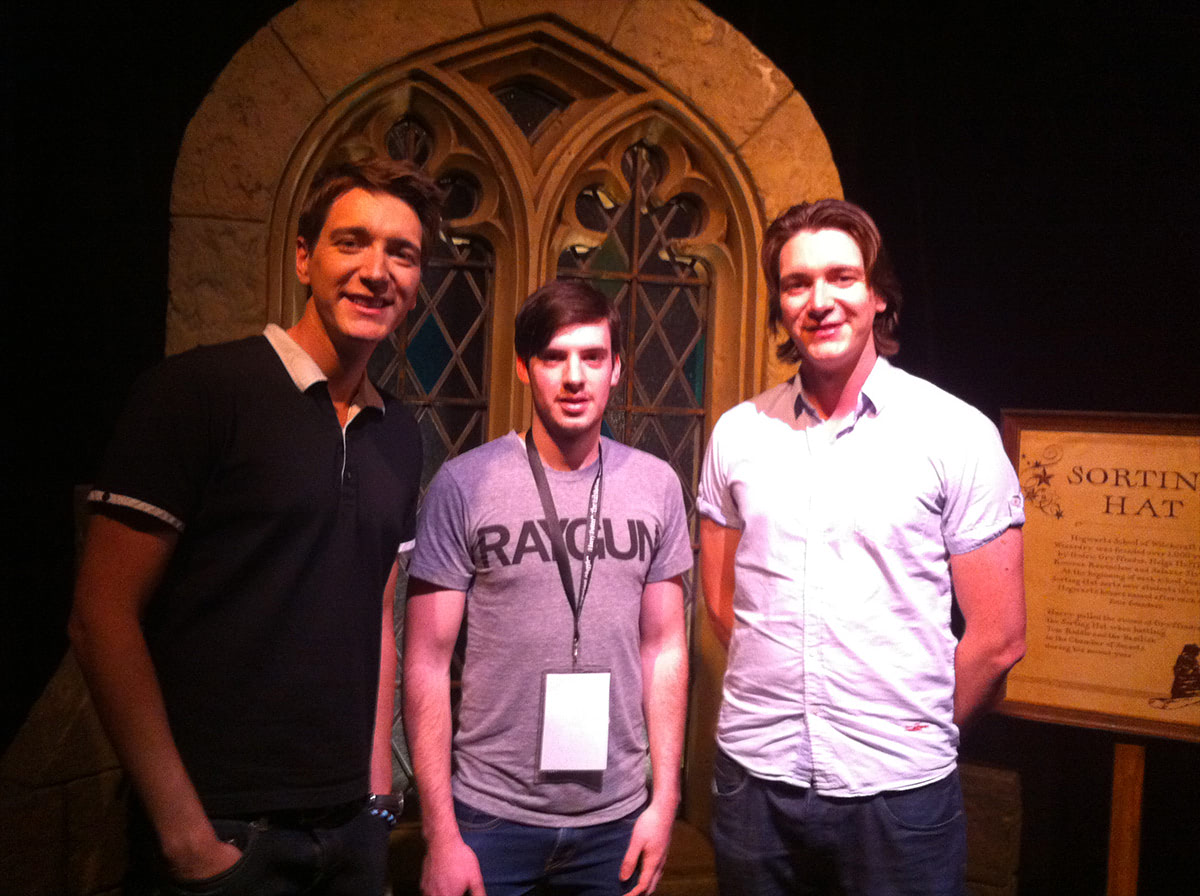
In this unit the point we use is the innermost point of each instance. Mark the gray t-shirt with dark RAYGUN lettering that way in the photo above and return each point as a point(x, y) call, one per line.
point(483, 532)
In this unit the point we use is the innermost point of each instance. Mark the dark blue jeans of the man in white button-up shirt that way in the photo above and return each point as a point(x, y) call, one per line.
point(773, 839)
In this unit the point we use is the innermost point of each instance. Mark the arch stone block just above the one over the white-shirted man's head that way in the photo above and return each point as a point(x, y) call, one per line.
point(736, 86)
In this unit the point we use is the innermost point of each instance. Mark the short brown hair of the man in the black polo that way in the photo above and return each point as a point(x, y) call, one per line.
point(380, 175)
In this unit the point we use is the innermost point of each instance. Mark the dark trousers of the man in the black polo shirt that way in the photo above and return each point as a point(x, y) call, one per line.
point(343, 856)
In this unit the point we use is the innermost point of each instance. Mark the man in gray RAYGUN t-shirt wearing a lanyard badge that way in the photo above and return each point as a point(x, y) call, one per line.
point(575, 666)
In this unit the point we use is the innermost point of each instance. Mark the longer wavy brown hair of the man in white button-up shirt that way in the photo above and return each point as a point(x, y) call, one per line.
point(856, 224)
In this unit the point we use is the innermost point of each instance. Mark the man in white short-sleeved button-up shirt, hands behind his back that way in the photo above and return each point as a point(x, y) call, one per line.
point(843, 513)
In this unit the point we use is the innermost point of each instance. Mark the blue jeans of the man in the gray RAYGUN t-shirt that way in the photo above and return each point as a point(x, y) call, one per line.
point(520, 859)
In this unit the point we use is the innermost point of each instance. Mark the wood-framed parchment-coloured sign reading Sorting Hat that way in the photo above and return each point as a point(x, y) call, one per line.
point(1112, 572)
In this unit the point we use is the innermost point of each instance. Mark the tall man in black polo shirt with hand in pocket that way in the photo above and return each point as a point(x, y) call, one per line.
point(248, 520)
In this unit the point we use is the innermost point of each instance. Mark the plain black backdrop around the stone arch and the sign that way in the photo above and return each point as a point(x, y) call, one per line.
point(1035, 171)
